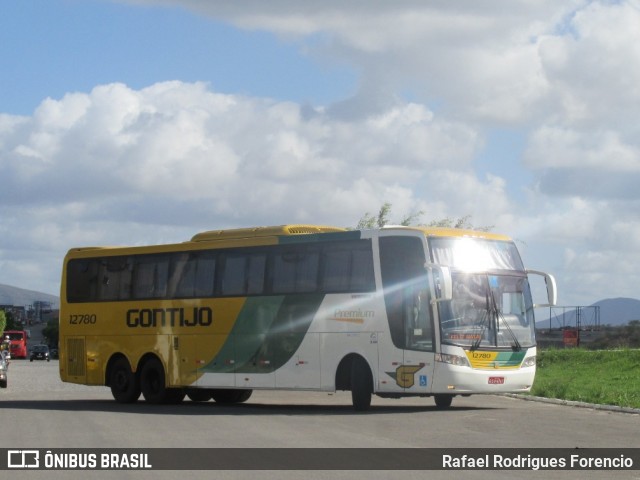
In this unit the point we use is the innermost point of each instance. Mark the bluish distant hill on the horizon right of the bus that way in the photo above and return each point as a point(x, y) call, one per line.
point(613, 311)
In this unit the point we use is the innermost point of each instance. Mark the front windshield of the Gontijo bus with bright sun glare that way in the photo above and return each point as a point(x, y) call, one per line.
point(491, 305)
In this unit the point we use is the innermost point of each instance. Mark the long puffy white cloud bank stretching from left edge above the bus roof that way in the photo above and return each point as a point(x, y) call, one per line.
point(118, 165)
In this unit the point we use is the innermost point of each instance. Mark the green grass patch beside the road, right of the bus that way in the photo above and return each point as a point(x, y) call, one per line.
point(607, 377)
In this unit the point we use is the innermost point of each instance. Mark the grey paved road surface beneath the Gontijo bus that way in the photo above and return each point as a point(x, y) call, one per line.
point(39, 411)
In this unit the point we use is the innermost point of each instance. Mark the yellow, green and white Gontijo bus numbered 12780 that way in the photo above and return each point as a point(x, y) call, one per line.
point(396, 311)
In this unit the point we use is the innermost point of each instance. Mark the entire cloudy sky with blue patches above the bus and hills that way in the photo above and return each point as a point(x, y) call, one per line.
point(146, 121)
